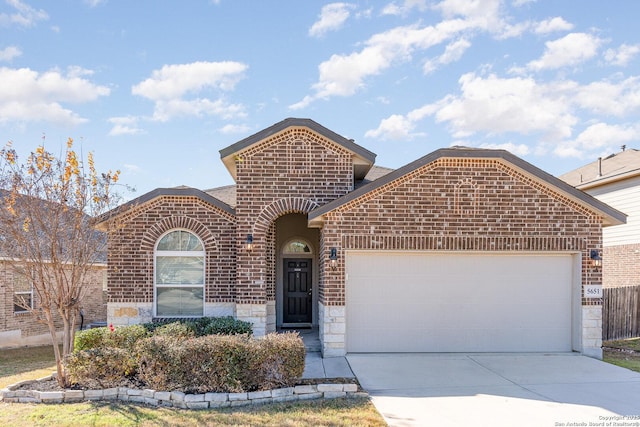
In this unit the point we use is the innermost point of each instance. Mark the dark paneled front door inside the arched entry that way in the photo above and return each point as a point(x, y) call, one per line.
point(297, 291)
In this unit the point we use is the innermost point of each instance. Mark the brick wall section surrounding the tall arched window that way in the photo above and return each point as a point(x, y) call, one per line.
point(131, 250)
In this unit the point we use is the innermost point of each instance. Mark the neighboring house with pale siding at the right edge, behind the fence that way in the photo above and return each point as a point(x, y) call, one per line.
point(615, 180)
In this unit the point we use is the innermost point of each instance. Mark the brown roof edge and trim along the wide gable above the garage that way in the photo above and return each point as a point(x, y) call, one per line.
point(611, 216)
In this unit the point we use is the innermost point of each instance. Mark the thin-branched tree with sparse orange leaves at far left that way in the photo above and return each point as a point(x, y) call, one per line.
point(47, 234)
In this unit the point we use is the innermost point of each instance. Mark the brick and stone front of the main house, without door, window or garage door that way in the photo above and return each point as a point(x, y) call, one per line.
point(482, 200)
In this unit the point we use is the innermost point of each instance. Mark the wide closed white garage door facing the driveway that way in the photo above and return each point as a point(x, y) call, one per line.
point(426, 302)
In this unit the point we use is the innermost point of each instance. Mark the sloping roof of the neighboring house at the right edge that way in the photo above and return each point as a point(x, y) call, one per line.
point(616, 167)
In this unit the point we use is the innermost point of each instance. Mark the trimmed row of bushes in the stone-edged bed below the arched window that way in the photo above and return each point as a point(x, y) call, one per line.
point(181, 356)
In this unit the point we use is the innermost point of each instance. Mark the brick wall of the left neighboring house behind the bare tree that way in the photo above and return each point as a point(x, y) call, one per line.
point(21, 329)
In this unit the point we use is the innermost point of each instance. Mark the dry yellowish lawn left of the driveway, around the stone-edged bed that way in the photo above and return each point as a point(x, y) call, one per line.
point(31, 363)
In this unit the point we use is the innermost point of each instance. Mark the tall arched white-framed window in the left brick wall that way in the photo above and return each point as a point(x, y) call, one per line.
point(179, 275)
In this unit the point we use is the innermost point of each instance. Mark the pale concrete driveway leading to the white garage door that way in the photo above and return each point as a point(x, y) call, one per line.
point(498, 389)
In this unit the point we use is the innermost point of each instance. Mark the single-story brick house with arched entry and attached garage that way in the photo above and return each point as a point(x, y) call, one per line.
point(462, 250)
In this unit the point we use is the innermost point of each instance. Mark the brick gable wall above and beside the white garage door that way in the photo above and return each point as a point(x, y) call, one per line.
point(461, 205)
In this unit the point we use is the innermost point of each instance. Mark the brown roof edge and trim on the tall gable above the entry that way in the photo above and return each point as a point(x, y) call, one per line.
point(363, 159)
